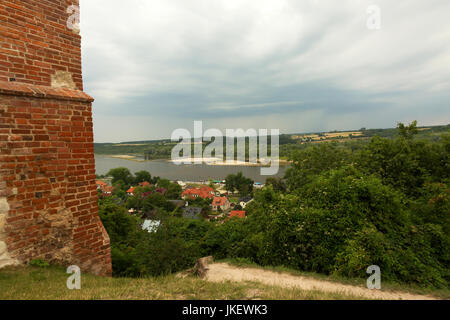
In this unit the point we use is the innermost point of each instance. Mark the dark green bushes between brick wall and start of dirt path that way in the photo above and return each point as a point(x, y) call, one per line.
point(175, 246)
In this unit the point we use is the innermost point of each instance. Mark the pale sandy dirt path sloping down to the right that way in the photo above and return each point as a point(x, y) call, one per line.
point(219, 272)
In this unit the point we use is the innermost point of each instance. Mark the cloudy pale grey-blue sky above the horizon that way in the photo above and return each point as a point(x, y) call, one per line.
point(299, 66)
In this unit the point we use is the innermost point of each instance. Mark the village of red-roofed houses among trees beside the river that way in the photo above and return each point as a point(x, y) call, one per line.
point(208, 200)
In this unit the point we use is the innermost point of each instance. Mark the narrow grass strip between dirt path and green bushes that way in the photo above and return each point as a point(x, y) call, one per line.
point(386, 285)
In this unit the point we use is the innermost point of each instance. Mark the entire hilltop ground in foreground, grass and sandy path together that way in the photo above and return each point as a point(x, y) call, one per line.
point(247, 283)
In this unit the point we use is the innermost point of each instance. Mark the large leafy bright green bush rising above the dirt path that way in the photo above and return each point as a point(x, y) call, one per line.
point(343, 222)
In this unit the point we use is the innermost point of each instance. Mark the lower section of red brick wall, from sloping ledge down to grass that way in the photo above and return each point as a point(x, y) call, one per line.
point(47, 171)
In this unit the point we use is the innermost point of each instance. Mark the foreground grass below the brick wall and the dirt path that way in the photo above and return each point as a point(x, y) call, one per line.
point(35, 283)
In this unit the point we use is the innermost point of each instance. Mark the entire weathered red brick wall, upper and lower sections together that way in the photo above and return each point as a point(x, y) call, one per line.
point(48, 195)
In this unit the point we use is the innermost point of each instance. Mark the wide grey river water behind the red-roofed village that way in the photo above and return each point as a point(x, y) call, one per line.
point(168, 170)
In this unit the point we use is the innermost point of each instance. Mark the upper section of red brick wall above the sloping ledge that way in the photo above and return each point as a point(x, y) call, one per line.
point(35, 41)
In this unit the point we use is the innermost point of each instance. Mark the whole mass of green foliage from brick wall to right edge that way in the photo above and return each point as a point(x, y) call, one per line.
point(338, 211)
